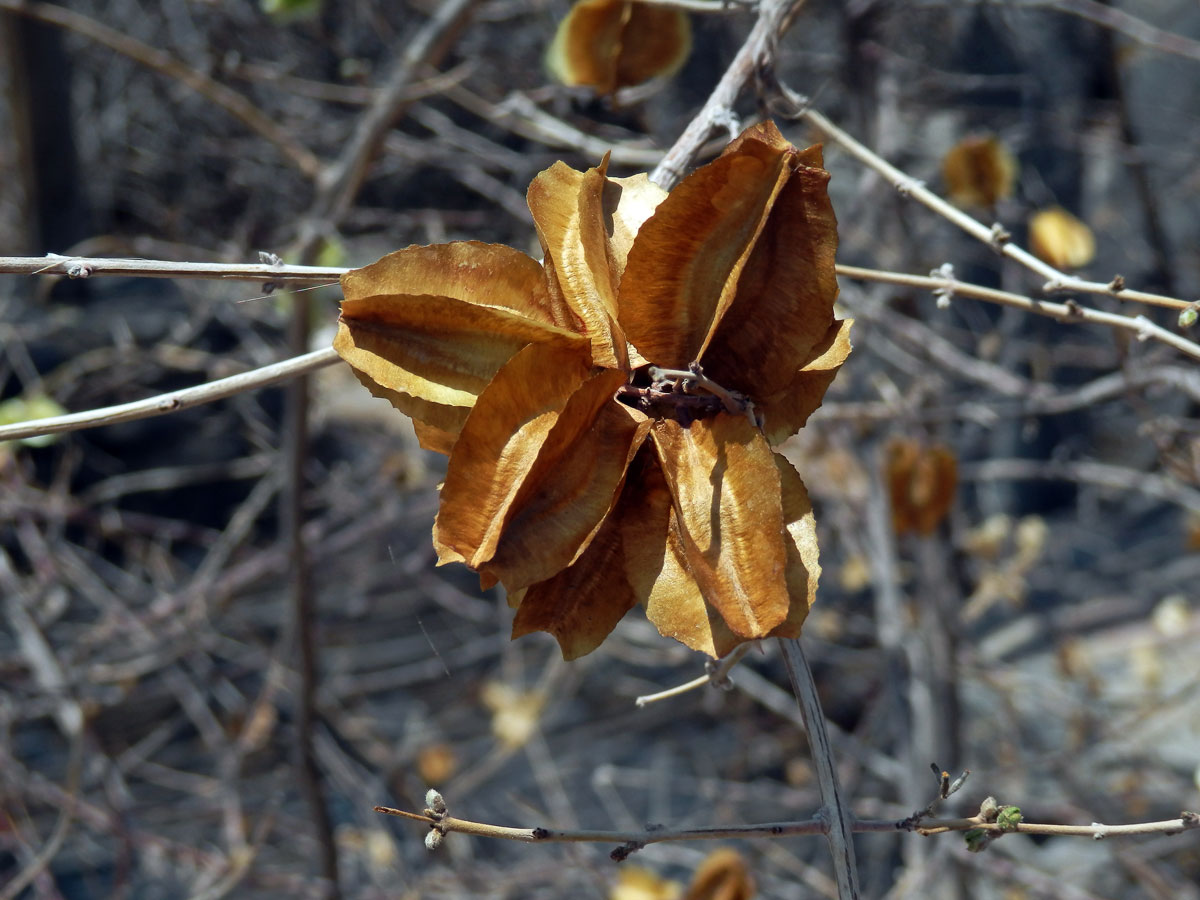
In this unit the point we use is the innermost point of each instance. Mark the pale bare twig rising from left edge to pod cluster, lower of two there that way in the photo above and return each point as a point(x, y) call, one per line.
point(173, 401)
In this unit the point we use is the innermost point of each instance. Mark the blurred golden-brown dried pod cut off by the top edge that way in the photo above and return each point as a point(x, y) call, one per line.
point(608, 45)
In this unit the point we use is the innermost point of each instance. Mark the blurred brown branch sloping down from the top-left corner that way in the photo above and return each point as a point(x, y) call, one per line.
point(166, 64)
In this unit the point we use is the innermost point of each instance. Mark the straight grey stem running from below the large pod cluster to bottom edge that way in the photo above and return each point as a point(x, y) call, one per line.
point(835, 812)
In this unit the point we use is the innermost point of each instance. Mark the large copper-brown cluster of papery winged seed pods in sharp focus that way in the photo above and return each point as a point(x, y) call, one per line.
point(610, 413)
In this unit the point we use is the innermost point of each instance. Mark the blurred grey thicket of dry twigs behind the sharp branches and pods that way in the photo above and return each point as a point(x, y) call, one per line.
point(1045, 637)
